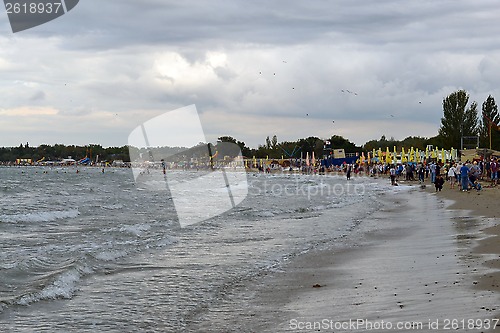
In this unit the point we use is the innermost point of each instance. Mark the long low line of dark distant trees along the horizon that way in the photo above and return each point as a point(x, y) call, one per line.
point(270, 149)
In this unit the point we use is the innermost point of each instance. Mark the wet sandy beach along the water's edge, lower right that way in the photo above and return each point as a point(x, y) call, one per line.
point(417, 262)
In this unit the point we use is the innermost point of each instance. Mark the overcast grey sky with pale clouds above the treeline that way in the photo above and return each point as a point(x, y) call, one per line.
point(252, 68)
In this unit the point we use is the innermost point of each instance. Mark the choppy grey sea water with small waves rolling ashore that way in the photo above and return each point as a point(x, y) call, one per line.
point(90, 251)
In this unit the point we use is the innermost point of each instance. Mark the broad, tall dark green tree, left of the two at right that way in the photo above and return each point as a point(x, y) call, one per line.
point(458, 120)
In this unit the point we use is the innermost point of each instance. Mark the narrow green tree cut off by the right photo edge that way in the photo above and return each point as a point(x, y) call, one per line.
point(490, 117)
